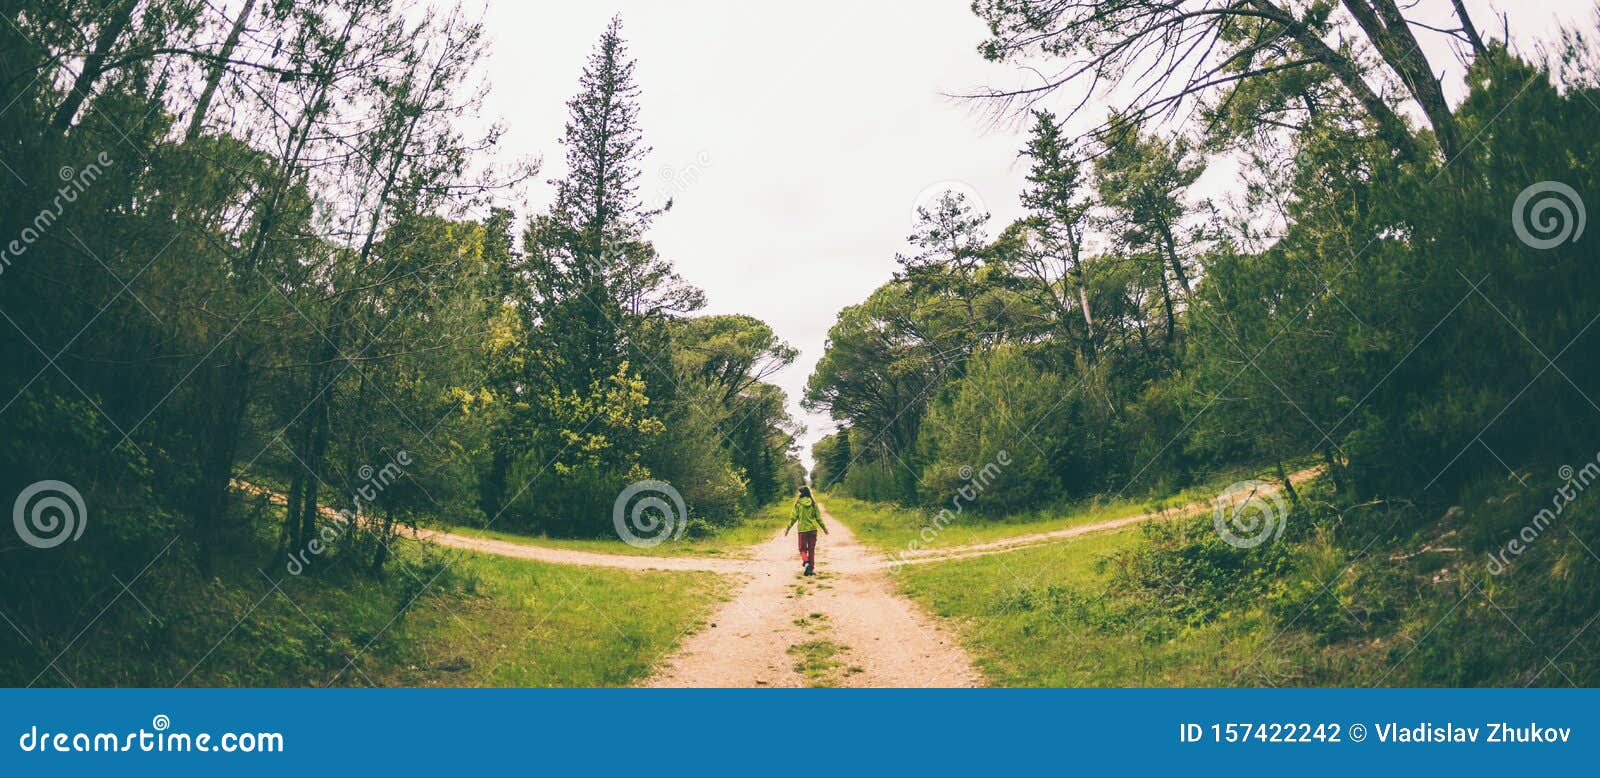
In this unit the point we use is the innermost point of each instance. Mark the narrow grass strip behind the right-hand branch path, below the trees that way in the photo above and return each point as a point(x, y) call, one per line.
point(892, 529)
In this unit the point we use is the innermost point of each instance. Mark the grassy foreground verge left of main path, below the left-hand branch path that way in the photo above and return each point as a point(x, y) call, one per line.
point(433, 619)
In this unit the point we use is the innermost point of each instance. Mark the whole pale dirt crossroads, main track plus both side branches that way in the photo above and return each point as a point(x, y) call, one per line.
point(842, 628)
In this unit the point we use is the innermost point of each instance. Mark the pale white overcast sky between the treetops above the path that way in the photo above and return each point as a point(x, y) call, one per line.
point(798, 138)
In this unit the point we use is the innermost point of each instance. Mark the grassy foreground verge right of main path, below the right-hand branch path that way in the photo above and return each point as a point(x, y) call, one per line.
point(1353, 595)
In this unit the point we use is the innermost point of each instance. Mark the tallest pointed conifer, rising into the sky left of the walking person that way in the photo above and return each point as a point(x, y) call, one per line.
point(599, 364)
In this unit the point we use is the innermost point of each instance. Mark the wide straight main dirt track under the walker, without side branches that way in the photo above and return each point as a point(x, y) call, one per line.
point(842, 628)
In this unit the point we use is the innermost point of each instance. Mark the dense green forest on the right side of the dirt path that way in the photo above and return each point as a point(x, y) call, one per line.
point(1391, 289)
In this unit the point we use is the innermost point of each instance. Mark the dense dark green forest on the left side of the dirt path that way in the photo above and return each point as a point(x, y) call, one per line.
point(255, 252)
